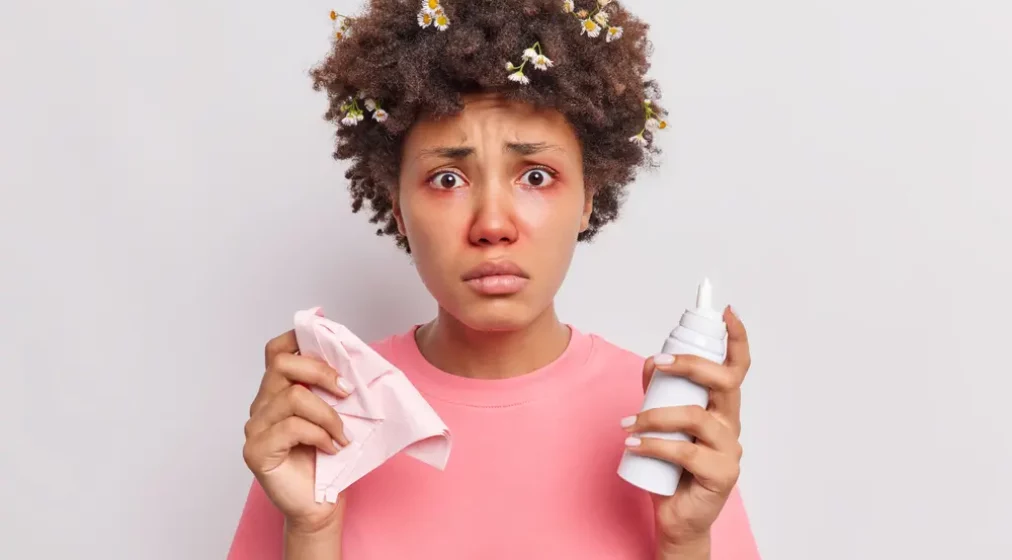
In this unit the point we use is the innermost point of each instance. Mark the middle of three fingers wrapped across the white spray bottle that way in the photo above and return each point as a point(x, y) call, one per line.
point(695, 421)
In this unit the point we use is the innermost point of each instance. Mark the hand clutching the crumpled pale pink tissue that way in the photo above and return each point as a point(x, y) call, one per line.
point(288, 423)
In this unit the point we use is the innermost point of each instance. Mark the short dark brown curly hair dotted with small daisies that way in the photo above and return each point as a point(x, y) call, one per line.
point(411, 71)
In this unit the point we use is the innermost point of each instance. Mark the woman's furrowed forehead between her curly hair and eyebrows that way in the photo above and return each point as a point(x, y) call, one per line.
point(488, 118)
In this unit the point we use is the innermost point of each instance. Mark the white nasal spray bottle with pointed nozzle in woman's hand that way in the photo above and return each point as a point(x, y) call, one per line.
point(702, 332)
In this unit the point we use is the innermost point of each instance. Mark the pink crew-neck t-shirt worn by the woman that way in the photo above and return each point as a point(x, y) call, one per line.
point(532, 474)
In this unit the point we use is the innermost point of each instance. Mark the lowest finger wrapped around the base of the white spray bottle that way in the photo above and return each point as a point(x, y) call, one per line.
point(714, 470)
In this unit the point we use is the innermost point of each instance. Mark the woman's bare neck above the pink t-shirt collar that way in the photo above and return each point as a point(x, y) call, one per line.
point(454, 348)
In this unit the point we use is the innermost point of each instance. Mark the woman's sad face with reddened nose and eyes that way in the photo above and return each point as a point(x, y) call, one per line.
point(492, 202)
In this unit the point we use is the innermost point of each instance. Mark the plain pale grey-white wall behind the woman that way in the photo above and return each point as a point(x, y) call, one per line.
point(839, 170)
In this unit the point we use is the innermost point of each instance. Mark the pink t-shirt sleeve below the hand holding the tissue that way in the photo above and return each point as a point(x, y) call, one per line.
point(262, 529)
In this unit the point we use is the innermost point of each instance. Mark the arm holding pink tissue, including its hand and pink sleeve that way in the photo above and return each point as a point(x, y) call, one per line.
point(289, 425)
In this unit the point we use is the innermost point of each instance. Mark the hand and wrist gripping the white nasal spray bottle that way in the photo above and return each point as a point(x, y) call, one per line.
point(685, 520)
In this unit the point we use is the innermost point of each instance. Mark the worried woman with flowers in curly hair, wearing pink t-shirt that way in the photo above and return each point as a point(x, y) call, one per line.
point(489, 137)
